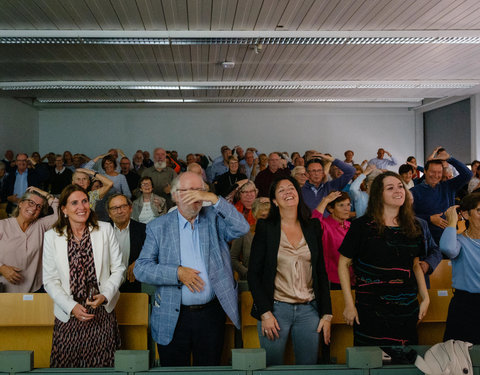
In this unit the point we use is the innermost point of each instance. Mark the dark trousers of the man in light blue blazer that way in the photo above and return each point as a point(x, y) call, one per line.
point(199, 333)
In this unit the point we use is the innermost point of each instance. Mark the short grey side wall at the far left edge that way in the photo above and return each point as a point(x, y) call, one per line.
point(18, 127)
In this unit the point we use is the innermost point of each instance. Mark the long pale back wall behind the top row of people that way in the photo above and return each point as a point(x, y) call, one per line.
point(206, 128)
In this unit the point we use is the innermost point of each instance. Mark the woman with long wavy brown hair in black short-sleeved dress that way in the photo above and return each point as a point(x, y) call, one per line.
point(384, 247)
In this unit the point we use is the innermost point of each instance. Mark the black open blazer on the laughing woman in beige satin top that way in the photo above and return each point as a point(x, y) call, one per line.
point(262, 267)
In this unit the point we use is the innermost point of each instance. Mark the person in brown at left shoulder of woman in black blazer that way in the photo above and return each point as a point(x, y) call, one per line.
point(240, 251)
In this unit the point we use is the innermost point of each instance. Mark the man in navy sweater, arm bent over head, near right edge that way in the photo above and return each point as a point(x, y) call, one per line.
point(432, 197)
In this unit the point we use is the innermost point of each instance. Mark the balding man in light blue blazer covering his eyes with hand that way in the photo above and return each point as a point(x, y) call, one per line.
point(186, 256)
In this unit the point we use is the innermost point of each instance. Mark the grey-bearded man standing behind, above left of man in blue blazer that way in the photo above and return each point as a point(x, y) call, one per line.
point(161, 175)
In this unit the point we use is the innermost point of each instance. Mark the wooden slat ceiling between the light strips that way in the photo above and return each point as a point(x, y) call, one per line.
point(202, 62)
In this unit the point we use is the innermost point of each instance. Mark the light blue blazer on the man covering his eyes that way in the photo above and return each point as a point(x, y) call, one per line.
point(160, 259)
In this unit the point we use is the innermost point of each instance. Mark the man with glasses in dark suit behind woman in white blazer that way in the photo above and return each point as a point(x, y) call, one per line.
point(130, 235)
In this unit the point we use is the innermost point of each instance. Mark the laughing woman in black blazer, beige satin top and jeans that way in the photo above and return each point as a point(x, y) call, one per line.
point(287, 278)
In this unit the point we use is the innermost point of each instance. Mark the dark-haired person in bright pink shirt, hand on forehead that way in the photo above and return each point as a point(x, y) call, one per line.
point(334, 228)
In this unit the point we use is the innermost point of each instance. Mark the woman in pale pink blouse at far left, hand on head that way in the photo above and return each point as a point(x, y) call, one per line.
point(21, 242)
